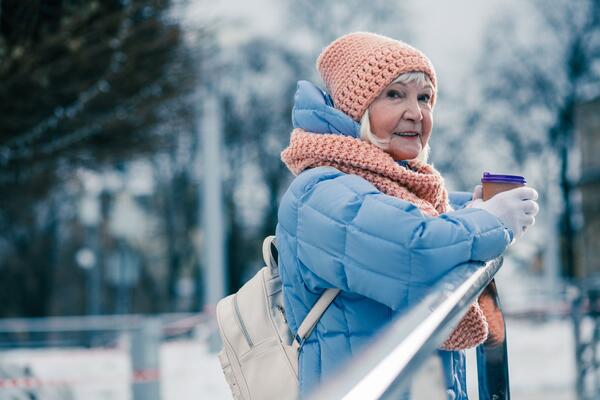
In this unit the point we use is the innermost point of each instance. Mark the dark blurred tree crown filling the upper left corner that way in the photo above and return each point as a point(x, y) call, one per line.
point(85, 82)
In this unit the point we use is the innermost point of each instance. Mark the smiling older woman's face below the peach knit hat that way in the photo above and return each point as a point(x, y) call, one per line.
point(401, 115)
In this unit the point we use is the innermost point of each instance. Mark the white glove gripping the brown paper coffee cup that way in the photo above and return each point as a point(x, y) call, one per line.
point(515, 208)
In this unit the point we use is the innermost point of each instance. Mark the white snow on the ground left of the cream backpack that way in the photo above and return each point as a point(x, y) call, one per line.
point(188, 370)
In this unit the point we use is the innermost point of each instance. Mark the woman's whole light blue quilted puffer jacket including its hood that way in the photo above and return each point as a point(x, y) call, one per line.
point(338, 230)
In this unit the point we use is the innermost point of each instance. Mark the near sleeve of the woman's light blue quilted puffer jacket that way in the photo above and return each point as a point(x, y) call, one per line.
point(353, 237)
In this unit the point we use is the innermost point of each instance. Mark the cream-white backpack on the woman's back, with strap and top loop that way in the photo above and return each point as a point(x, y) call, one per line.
point(260, 353)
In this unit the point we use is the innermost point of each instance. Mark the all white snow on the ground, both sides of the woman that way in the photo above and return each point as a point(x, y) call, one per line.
point(540, 355)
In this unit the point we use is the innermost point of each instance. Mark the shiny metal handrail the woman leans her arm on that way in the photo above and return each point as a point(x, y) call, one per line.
point(385, 368)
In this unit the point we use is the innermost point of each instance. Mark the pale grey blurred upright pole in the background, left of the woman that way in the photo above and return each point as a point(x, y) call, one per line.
point(213, 221)
